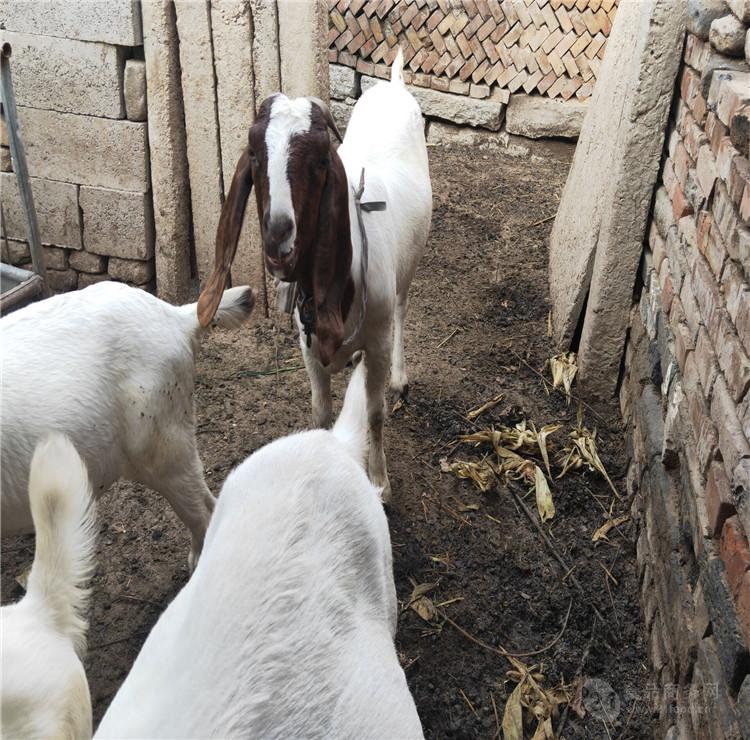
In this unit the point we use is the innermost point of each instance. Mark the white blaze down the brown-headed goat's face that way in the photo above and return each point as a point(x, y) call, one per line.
point(288, 118)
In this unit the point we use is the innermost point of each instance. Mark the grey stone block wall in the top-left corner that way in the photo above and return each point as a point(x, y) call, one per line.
point(81, 93)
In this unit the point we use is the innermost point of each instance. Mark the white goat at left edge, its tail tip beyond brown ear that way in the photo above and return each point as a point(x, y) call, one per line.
point(113, 368)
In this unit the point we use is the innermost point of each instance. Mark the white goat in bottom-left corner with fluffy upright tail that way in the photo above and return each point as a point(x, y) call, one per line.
point(44, 690)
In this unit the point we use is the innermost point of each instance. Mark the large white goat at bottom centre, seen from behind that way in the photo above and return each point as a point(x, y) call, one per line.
point(286, 627)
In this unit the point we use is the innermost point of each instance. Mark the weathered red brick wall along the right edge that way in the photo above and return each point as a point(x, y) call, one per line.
point(686, 399)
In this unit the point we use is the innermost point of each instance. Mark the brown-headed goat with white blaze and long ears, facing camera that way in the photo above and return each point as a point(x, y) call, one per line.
point(305, 193)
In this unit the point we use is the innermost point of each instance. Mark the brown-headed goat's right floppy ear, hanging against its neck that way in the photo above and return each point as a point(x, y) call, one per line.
point(333, 288)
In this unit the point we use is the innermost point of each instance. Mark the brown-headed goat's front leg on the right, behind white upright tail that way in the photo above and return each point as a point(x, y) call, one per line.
point(377, 364)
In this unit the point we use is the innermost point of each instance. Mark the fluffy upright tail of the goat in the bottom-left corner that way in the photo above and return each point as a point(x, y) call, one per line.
point(63, 511)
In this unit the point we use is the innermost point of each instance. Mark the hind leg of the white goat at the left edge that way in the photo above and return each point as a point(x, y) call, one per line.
point(190, 497)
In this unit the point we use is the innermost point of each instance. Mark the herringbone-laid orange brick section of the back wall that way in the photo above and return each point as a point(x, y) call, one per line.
point(548, 47)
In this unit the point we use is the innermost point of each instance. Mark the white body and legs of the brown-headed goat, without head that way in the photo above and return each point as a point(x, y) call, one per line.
point(385, 136)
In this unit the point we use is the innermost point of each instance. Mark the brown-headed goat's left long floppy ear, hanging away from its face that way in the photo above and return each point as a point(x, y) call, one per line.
point(227, 235)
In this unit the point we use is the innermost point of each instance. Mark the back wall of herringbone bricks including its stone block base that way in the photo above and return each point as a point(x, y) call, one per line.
point(525, 67)
